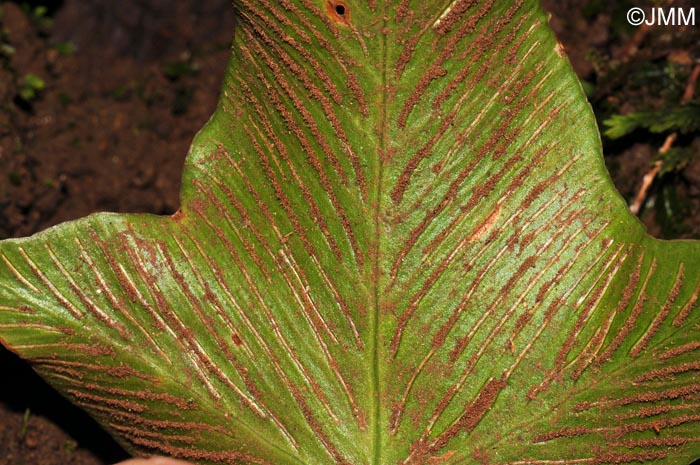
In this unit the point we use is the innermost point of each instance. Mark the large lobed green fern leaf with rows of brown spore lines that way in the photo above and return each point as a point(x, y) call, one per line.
point(398, 244)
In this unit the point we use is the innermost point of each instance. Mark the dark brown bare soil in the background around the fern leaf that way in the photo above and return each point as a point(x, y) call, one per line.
point(112, 126)
